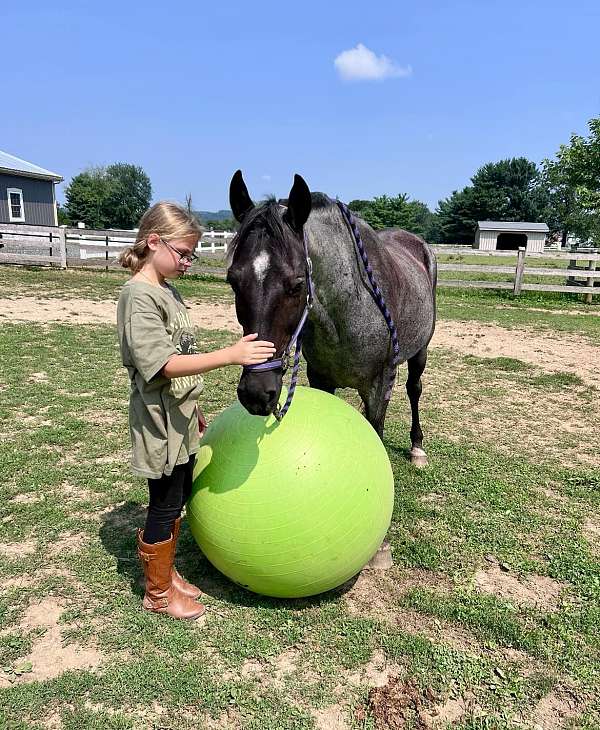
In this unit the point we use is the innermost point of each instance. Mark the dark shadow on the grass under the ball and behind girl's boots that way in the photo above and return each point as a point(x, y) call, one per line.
point(118, 535)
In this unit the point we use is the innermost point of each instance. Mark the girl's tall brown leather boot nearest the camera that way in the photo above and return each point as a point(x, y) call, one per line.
point(161, 596)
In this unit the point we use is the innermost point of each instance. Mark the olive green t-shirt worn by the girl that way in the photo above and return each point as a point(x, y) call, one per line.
point(153, 325)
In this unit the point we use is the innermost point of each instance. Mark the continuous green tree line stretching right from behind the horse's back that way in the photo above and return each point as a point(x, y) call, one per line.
point(563, 192)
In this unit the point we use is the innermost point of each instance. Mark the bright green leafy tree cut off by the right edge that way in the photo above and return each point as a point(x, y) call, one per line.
point(573, 181)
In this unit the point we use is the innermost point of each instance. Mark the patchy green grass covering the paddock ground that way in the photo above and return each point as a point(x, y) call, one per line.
point(490, 497)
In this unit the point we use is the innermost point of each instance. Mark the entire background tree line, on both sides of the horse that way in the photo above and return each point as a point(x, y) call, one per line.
point(563, 192)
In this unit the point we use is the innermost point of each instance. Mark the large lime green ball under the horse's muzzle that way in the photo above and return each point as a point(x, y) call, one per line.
point(296, 507)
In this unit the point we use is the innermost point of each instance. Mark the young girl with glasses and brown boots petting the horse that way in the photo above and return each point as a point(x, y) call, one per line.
point(158, 349)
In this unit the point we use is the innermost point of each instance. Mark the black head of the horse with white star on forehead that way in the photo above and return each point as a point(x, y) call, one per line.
point(268, 274)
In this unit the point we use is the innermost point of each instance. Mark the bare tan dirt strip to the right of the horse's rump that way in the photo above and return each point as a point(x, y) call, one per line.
point(553, 354)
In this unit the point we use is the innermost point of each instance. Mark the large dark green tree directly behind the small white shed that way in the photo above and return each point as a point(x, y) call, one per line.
point(508, 190)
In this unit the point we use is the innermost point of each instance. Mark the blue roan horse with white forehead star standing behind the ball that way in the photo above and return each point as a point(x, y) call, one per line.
point(346, 340)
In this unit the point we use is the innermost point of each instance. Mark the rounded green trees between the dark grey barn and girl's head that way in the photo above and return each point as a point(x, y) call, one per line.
point(109, 197)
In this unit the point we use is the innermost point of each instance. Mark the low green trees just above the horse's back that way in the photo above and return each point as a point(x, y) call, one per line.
point(394, 212)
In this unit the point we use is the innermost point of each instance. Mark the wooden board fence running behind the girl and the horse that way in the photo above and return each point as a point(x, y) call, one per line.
point(90, 248)
